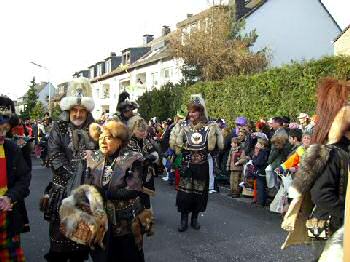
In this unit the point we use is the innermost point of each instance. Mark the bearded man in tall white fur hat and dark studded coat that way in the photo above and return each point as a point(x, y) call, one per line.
point(67, 141)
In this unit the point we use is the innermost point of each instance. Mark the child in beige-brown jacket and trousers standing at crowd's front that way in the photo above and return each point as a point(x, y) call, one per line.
point(234, 167)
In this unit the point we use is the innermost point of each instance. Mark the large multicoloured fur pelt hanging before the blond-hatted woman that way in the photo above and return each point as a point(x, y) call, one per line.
point(83, 219)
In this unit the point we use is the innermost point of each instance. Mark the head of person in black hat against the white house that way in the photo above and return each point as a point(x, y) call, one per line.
point(125, 108)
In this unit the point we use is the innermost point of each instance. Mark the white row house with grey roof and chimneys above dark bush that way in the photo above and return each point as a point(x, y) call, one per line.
point(141, 69)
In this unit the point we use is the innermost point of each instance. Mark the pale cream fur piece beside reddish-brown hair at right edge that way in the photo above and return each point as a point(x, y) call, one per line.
point(340, 124)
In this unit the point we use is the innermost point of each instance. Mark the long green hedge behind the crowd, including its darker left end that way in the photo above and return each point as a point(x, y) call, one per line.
point(285, 90)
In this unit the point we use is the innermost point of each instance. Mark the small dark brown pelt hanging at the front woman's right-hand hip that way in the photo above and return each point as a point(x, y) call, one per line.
point(142, 224)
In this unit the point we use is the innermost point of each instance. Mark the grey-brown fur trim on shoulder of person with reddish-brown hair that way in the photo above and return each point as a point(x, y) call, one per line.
point(311, 166)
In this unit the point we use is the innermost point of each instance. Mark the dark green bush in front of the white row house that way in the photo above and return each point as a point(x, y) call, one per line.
point(163, 102)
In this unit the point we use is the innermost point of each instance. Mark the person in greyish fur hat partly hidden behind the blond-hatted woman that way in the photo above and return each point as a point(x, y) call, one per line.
point(141, 144)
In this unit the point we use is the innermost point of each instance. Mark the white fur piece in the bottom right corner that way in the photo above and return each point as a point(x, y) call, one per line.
point(333, 251)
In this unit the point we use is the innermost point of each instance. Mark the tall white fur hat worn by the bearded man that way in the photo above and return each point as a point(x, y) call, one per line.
point(79, 93)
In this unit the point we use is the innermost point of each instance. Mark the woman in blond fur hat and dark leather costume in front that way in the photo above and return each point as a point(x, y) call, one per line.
point(117, 174)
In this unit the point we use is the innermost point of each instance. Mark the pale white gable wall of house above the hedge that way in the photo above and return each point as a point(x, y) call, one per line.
point(293, 30)
